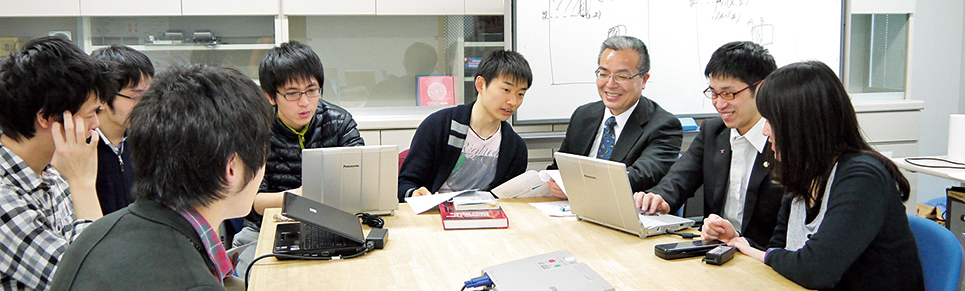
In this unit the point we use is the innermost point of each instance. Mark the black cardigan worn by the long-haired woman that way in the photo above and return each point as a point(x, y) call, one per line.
point(864, 241)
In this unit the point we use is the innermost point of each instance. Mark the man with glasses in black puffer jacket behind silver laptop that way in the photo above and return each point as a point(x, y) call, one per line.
point(292, 77)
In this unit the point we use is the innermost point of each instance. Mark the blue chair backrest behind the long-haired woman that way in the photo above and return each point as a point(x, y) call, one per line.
point(940, 254)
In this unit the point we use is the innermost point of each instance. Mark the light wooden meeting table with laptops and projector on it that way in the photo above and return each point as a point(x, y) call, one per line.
point(420, 255)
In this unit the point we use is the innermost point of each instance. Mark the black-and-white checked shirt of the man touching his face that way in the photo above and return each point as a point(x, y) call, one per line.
point(38, 223)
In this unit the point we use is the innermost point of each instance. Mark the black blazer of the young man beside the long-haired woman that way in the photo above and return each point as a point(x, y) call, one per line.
point(707, 163)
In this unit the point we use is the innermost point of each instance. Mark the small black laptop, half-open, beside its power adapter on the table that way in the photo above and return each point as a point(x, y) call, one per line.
point(321, 231)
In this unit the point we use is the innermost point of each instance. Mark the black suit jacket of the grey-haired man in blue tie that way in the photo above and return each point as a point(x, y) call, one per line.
point(649, 143)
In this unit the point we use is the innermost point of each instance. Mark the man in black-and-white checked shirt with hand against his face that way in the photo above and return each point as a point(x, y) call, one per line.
point(50, 92)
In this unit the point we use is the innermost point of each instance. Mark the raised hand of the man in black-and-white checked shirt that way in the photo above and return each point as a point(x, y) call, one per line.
point(76, 160)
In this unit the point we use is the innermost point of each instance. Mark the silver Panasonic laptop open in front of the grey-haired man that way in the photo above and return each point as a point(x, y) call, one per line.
point(599, 192)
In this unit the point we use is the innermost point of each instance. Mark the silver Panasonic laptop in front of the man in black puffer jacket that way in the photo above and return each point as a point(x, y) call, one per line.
point(353, 179)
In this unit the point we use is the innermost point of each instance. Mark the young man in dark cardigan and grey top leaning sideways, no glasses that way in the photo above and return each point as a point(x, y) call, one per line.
point(471, 146)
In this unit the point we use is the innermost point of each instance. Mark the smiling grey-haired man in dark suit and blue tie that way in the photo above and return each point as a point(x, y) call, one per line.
point(624, 126)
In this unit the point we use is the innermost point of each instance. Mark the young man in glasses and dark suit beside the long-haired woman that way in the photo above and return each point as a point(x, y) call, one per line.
point(729, 155)
